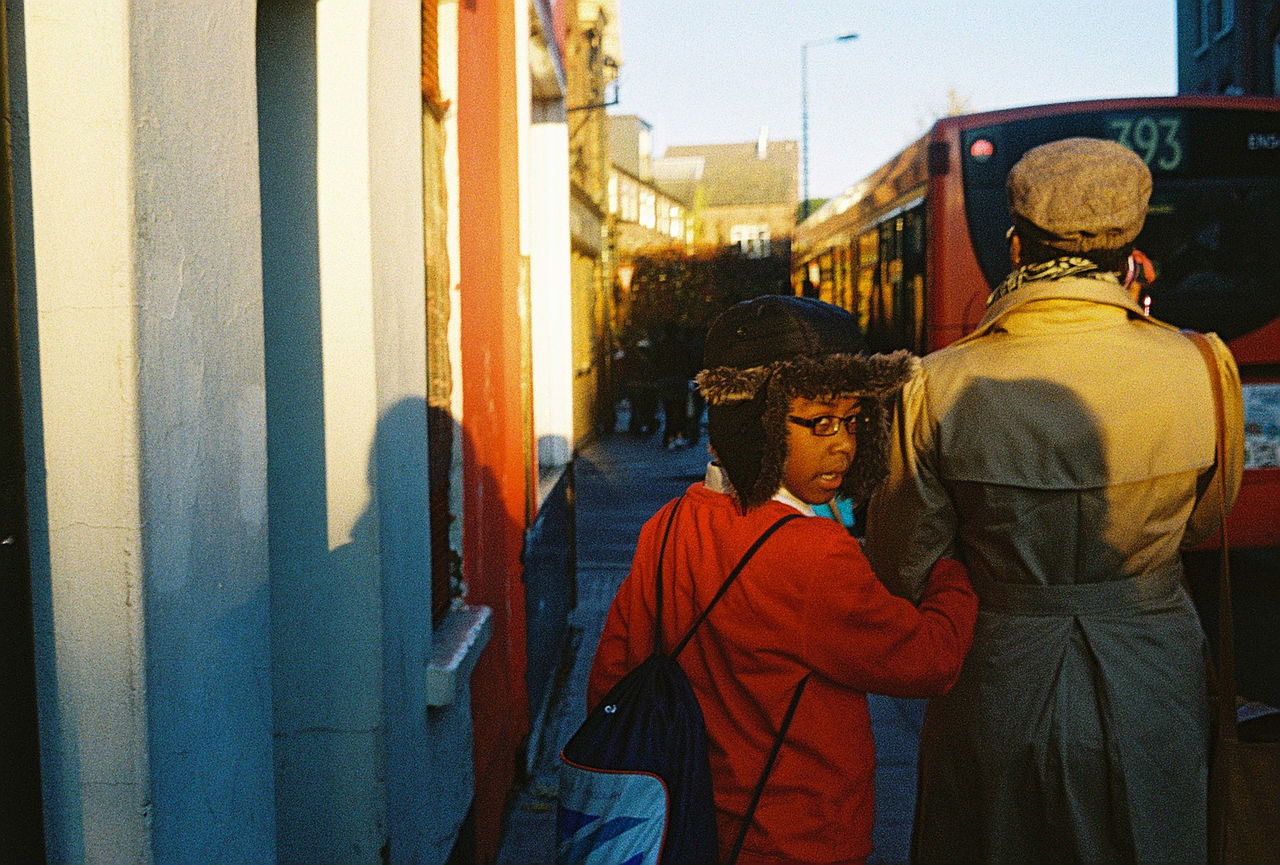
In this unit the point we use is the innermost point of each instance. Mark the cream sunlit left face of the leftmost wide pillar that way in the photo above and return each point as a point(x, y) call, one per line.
point(94, 725)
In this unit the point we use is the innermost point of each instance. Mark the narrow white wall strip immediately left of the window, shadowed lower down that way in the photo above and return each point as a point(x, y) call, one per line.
point(414, 786)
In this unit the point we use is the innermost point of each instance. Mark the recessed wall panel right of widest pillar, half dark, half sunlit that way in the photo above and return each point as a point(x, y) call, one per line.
point(323, 414)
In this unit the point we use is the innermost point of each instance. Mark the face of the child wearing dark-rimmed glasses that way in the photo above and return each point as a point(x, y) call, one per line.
point(817, 464)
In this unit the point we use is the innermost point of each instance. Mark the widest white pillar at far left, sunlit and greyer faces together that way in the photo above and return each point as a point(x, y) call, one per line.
point(156, 707)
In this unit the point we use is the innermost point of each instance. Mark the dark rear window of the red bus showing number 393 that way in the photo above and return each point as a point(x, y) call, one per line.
point(1214, 227)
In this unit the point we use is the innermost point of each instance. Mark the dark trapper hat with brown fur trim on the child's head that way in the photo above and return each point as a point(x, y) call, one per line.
point(760, 355)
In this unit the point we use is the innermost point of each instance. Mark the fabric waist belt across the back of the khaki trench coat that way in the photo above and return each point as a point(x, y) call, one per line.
point(1142, 594)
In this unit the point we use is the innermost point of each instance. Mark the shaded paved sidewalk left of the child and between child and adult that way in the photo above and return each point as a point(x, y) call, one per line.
point(621, 482)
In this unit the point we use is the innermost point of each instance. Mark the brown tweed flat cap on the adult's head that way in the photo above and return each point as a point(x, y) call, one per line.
point(1080, 195)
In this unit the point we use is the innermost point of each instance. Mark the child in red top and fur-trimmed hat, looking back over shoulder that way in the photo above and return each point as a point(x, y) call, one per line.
point(797, 417)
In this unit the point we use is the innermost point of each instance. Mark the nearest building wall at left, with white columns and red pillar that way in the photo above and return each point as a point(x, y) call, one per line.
point(294, 317)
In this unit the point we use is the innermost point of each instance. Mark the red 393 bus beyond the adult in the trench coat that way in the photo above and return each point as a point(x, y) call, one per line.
point(915, 249)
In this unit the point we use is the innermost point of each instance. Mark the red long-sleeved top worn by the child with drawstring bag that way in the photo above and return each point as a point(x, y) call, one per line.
point(807, 602)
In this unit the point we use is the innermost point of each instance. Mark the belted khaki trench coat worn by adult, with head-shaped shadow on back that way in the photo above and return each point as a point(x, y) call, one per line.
point(1063, 451)
